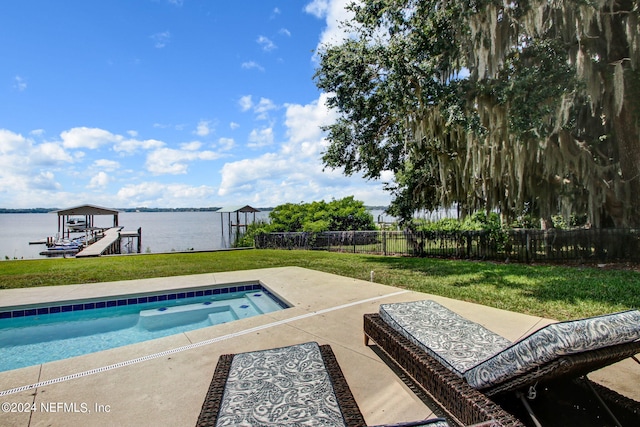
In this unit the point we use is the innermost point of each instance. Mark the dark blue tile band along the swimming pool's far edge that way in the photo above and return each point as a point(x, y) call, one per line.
point(122, 300)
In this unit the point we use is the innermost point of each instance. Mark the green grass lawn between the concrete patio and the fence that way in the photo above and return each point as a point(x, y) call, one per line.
point(550, 291)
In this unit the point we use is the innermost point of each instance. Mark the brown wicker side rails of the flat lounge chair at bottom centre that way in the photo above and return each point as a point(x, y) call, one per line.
point(348, 406)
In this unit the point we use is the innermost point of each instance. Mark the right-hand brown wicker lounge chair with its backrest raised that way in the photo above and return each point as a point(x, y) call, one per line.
point(461, 364)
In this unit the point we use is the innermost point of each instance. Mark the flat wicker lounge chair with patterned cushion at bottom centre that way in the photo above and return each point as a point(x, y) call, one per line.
point(296, 385)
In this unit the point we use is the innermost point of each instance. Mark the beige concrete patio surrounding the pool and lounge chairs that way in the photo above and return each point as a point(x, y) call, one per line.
point(164, 381)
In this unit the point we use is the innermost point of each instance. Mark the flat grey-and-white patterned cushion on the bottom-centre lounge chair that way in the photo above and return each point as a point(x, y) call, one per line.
point(280, 387)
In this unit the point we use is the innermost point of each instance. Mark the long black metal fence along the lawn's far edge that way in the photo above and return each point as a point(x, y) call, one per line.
point(518, 245)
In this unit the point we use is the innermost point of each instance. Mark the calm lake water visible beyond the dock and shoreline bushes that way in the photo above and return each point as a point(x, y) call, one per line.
point(161, 231)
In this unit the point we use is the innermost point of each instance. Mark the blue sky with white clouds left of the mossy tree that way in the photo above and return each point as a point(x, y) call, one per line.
point(166, 103)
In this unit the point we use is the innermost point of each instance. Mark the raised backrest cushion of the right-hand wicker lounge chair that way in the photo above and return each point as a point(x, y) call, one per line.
point(553, 341)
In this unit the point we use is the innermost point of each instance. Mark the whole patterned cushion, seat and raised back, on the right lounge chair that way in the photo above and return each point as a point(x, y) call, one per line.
point(484, 358)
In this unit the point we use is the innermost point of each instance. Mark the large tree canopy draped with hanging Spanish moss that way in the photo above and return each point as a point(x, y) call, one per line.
point(523, 106)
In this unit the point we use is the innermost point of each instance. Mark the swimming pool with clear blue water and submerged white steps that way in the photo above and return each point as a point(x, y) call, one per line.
point(38, 334)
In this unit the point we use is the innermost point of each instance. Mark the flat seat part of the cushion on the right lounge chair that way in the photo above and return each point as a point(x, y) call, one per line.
point(458, 343)
